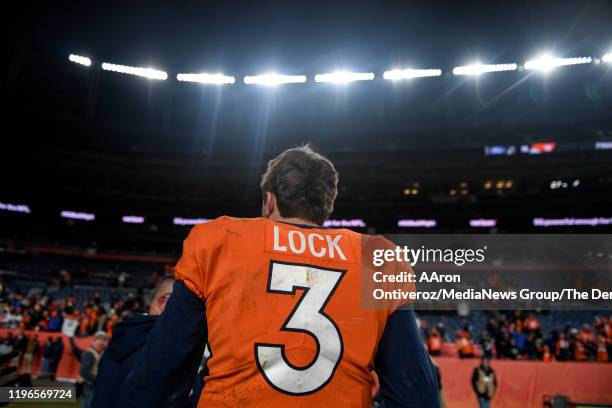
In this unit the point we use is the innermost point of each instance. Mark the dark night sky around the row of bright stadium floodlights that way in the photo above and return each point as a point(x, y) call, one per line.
point(242, 38)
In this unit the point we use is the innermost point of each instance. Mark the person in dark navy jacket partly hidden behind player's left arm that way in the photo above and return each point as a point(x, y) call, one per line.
point(129, 337)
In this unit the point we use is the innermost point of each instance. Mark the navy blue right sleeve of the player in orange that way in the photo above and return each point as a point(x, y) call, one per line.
point(405, 371)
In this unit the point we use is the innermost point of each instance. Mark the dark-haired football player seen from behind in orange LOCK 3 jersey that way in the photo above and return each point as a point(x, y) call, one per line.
point(278, 301)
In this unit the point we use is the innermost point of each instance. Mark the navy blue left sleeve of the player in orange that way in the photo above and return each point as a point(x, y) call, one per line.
point(164, 373)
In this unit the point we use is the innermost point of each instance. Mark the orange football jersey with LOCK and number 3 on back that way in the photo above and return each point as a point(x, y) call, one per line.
point(286, 326)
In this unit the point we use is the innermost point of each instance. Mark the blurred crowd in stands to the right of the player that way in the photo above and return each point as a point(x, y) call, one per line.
point(519, 336)
